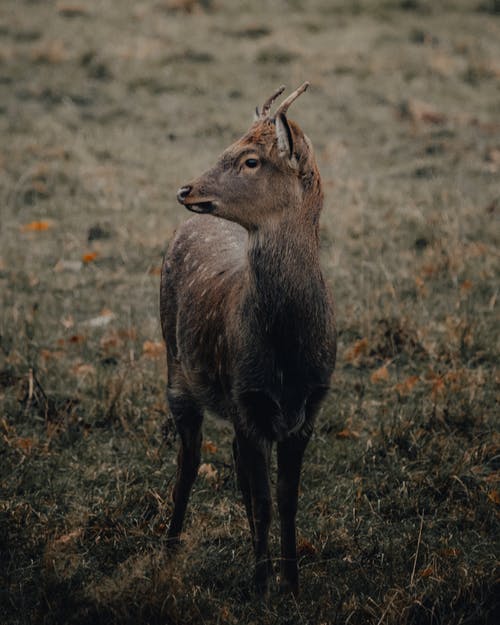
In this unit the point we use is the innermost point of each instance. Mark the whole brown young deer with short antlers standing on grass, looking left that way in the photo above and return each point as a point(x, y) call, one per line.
point(248, 321)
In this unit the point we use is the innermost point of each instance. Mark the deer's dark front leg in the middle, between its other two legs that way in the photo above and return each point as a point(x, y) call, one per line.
point(253, 475)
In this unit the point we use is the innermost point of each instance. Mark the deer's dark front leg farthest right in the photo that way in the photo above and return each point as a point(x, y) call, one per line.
point(290, 454)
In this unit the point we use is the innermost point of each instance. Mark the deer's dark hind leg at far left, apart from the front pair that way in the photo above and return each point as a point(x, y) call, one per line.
point(188, 419)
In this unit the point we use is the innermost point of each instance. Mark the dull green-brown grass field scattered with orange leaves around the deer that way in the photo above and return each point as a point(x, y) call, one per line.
point(106, 108)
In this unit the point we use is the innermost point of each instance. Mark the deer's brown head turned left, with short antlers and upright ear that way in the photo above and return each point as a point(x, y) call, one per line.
point(259, 179)
